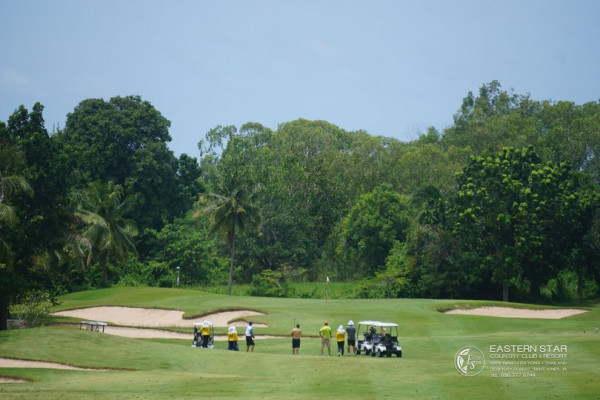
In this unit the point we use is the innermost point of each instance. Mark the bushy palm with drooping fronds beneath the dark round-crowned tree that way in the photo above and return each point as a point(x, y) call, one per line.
point(106, 232)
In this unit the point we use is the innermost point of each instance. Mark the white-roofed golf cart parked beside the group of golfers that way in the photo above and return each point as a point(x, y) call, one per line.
point(379, 339)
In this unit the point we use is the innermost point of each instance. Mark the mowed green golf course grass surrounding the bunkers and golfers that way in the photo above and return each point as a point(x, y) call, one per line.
point(172, 369)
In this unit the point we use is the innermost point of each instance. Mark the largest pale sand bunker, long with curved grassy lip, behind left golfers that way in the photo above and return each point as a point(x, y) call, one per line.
point(146, 317)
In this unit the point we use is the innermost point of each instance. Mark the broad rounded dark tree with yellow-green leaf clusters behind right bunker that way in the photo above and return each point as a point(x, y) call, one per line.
point(519, 215)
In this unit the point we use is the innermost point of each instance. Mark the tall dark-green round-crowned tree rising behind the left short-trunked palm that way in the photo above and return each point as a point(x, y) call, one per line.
point(125, 140)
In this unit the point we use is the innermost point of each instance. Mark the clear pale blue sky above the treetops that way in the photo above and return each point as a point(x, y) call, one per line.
point(389, 67)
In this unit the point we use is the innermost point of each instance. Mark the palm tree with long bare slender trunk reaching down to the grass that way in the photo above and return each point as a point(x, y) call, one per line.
point(229, 209)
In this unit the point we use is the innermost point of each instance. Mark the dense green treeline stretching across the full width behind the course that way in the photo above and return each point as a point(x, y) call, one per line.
point(504, 202)
